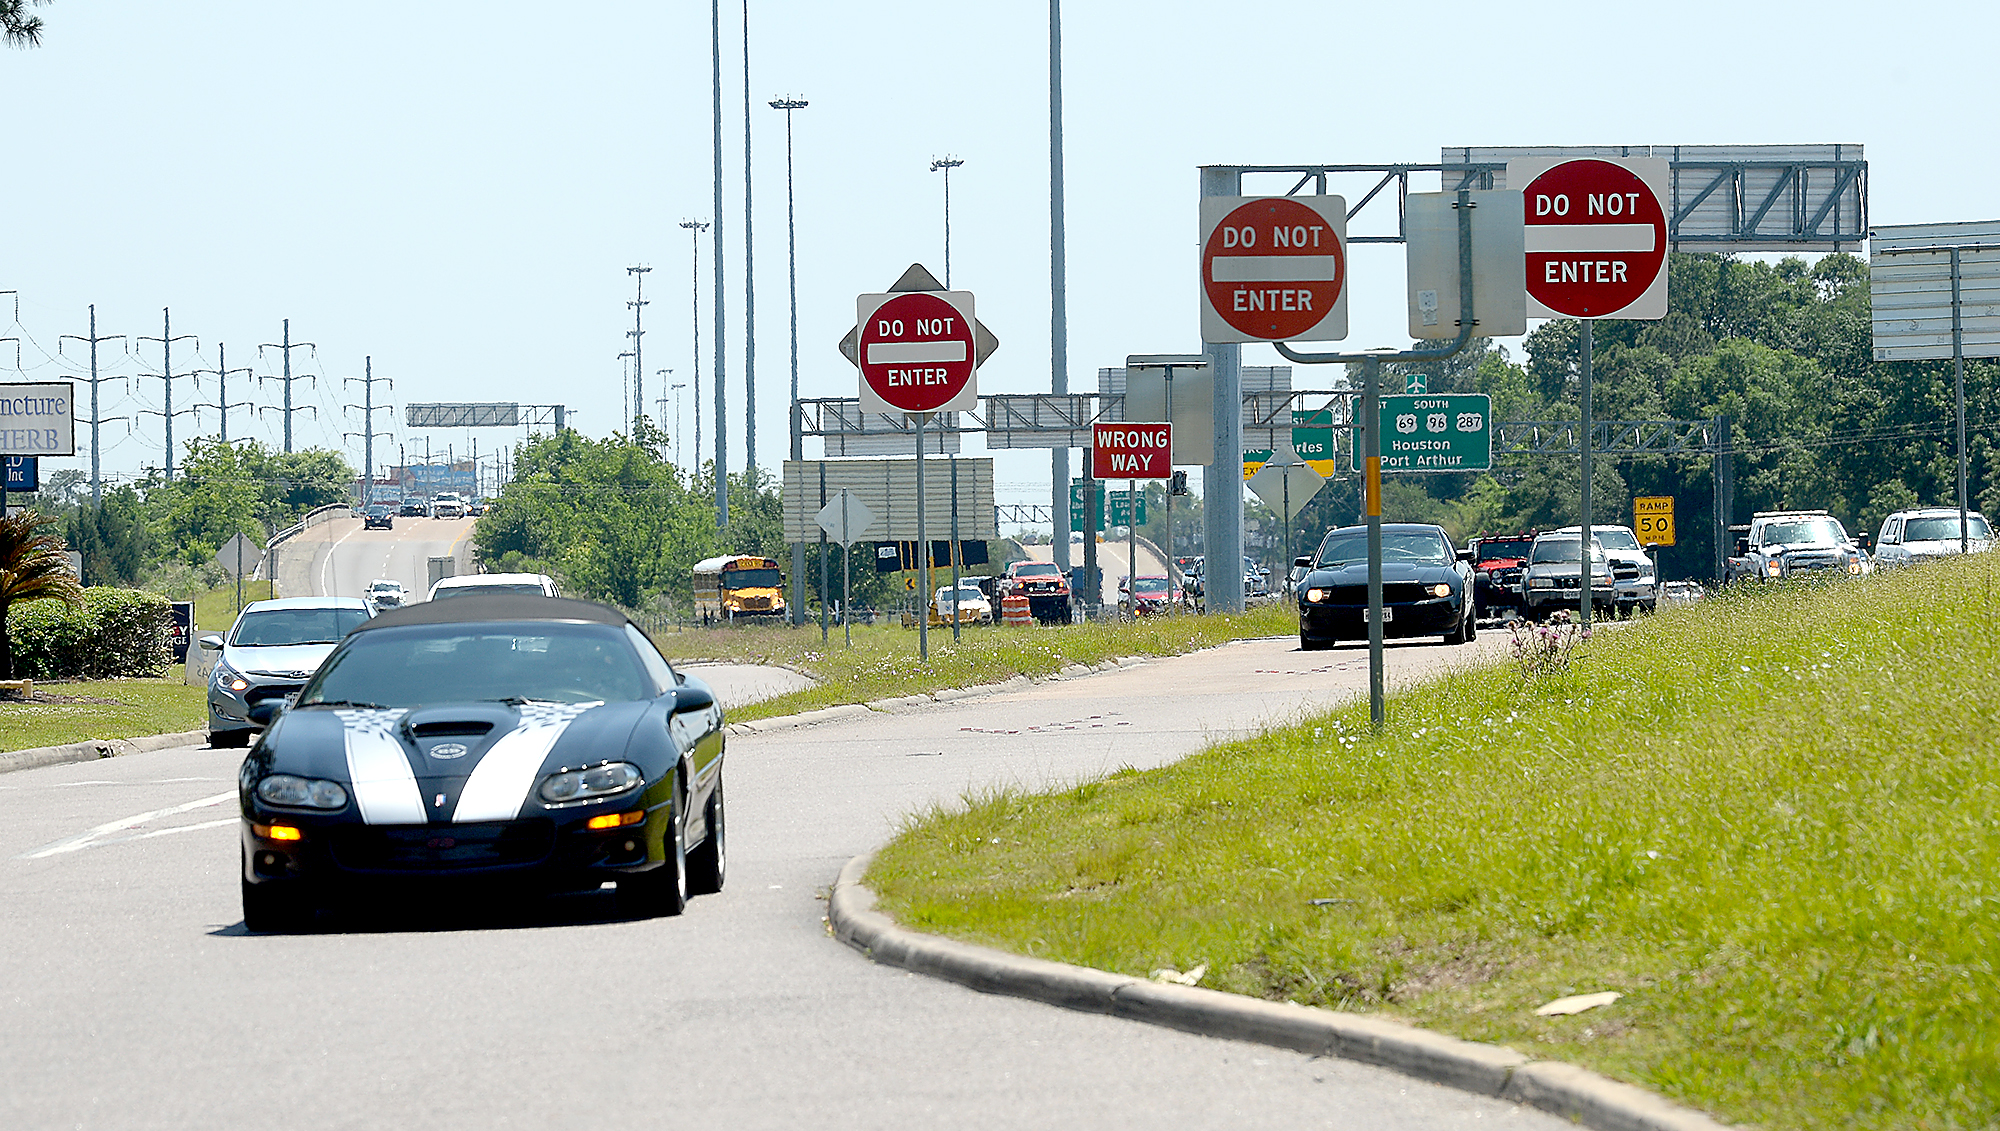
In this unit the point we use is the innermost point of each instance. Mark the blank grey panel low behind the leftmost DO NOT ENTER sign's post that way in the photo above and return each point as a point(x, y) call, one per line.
point(889, 491)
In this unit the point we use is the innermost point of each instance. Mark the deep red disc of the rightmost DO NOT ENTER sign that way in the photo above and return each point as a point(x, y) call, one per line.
point(1597, 239)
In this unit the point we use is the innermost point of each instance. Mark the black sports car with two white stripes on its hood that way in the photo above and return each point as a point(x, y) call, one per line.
point(497, 738)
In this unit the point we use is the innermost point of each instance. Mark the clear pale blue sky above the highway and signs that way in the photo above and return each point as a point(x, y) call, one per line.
point(457, 189)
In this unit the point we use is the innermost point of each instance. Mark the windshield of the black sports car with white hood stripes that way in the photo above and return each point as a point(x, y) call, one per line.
point(411, 666)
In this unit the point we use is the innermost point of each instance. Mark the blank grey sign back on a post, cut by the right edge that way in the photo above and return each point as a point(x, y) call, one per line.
point(1911, 273)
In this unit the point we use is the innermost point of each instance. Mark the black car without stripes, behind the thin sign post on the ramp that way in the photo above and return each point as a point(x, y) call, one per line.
point(1427, 586)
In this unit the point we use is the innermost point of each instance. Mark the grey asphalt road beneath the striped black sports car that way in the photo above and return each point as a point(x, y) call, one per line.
point(133, 996)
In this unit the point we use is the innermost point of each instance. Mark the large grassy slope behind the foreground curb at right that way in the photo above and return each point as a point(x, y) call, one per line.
point(1769, 820)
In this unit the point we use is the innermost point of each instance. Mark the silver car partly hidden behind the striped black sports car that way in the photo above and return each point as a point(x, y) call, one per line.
point(269, 654)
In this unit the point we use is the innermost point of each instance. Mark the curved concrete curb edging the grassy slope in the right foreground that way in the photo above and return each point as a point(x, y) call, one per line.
point(1487, 1070)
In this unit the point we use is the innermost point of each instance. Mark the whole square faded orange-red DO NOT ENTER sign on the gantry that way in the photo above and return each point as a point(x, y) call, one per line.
point(1275, 269)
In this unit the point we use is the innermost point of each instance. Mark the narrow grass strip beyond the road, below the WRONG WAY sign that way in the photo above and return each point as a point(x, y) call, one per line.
point(883, 662)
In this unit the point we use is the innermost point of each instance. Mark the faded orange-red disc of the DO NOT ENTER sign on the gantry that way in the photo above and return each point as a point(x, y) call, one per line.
point(1273, 269)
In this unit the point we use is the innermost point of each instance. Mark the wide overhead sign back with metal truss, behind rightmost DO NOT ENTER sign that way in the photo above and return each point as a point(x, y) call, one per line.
point(1727, 199)
